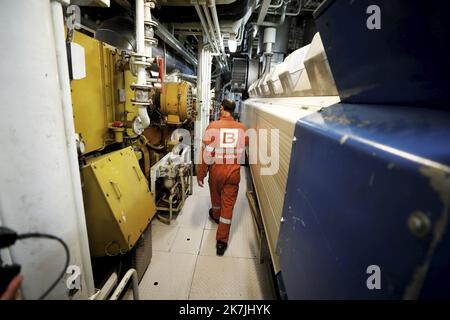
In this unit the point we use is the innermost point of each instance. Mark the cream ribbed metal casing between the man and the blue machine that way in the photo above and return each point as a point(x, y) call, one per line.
point(281, 114)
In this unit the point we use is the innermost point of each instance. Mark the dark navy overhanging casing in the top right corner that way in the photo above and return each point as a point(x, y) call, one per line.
point(404, 62)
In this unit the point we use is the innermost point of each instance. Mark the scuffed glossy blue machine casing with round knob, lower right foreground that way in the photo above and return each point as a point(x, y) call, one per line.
point(358, 175)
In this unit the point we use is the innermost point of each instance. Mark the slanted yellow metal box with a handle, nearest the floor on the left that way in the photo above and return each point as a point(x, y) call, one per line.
point(118, 202)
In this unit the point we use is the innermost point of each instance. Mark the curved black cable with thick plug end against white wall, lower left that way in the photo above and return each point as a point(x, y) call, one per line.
point(8, 237)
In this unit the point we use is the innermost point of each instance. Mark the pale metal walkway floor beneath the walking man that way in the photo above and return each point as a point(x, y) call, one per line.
point(185, 265)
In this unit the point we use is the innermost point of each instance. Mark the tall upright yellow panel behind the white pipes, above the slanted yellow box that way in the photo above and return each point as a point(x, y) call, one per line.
point(93, 97)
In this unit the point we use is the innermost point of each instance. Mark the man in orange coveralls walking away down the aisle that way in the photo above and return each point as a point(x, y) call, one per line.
point(223, 151)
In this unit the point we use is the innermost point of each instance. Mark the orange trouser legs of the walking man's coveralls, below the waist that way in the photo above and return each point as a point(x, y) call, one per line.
point(223, 186)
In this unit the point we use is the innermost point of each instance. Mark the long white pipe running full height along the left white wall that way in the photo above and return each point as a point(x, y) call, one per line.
point(64, 82)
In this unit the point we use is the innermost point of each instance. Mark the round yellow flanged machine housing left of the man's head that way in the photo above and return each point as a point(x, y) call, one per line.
point(177, 102)
